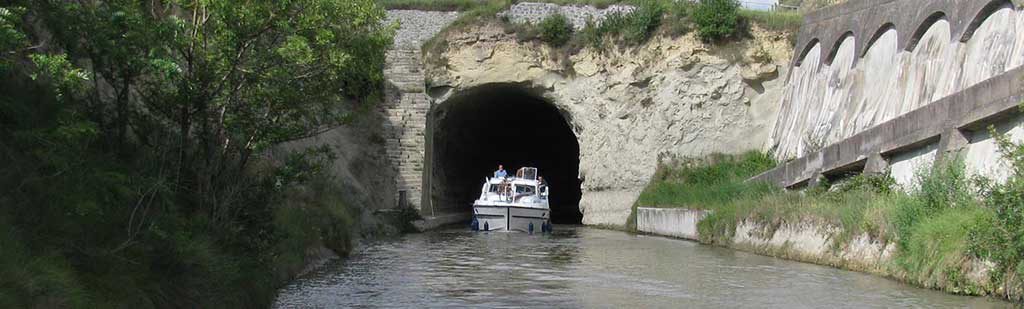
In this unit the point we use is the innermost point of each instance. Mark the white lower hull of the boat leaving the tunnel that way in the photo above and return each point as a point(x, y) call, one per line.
point(510, 218)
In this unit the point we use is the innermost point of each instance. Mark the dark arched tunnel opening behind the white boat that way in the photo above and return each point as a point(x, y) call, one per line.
point(476, 130)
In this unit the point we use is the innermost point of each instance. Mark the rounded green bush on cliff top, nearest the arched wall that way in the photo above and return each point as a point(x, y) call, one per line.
point(717, 20)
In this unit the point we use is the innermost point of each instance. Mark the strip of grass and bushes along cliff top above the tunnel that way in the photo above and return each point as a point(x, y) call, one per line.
point(715, 21)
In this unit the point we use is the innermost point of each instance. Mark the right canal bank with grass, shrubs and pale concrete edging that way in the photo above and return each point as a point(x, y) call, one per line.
point(951, 232)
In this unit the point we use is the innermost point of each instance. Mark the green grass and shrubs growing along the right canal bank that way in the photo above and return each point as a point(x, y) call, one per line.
point(947, 224)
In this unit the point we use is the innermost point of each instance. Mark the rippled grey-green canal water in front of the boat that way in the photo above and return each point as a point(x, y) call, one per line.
point(589, 268)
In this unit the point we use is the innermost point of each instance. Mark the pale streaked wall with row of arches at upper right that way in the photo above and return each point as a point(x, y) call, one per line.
point(892, 74)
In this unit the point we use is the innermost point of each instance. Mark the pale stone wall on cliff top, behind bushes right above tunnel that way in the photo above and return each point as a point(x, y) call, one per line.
point(533, 13)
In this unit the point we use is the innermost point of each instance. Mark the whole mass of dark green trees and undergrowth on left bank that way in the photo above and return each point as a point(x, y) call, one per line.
point(134, 143)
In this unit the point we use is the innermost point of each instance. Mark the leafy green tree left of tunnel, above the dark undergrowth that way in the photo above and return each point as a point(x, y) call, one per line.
point(215, 82)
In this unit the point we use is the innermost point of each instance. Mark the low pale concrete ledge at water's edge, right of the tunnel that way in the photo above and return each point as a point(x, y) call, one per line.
point(676, 223)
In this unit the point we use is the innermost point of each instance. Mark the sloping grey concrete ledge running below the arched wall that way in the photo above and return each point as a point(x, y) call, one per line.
point(986, 104)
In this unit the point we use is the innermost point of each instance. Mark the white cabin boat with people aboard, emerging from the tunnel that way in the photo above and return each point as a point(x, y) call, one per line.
point(519, 203)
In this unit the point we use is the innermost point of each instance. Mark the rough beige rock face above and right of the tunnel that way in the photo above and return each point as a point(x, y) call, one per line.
point(630, 107)
